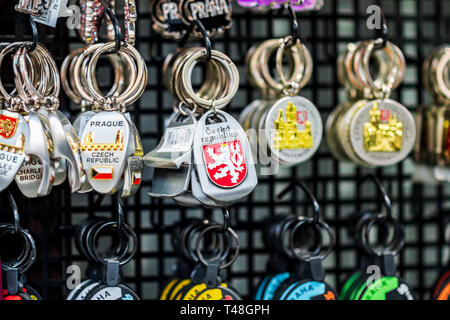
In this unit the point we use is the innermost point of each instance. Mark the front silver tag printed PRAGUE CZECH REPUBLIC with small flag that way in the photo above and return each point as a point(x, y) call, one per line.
point(104, 146)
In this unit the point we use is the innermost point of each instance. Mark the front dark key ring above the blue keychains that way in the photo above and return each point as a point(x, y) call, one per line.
point(308, 257)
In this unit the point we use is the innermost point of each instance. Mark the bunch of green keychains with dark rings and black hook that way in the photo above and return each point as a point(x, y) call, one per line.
point(388, 286)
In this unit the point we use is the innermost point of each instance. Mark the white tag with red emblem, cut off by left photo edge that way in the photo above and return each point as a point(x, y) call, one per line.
point(14, 136)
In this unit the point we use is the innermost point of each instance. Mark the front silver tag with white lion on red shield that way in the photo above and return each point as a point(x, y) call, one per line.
point(223, 158)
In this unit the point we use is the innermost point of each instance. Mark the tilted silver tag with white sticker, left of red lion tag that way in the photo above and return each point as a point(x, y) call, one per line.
point(175, 147)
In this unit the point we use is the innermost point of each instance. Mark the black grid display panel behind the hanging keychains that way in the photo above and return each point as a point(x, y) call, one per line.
point(416, 26)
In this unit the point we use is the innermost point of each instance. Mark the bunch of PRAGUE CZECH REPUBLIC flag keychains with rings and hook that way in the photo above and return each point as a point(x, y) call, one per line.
point(111, 149)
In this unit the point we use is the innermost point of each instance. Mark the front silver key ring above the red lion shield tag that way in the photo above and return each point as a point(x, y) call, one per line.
point(186, 84)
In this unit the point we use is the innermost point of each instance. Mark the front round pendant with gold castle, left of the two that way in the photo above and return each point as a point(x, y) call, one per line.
point(293, 129)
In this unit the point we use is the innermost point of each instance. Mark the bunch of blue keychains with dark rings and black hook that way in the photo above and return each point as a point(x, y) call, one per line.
point(297, 251)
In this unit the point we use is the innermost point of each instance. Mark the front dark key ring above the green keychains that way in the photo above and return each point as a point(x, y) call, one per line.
point(397, 242)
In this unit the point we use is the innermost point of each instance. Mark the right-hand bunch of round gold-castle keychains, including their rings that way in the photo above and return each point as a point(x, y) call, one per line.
point(371, 130)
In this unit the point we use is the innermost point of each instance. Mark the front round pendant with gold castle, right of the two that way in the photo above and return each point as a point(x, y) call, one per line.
point(382, 132)
